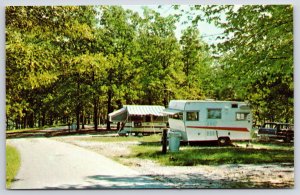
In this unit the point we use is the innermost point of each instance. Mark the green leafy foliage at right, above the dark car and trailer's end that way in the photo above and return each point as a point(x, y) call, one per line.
point(256, 53)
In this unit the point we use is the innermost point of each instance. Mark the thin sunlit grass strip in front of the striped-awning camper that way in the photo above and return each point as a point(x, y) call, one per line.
point(151, 138)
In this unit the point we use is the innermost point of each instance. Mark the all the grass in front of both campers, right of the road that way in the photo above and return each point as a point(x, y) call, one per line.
point(150, 148)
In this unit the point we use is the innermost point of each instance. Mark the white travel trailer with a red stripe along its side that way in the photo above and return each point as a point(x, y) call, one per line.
point(207, 120)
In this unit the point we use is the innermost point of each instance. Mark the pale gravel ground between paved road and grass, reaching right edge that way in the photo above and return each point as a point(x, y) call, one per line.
point(221, 176)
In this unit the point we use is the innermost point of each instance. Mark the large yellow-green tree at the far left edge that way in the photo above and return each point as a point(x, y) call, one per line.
point(30, 58)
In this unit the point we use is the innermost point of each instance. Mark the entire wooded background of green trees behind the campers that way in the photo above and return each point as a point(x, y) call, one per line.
point(68, 64)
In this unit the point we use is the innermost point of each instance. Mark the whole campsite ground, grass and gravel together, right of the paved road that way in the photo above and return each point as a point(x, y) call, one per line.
point(258, 165)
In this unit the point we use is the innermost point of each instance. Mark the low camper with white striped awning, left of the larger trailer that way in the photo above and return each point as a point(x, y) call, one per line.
point(139, 119)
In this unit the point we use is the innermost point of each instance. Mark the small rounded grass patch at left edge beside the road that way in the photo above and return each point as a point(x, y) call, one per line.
point(12, 164)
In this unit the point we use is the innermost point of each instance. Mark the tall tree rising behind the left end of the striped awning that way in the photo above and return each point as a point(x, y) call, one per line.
point(118, 35)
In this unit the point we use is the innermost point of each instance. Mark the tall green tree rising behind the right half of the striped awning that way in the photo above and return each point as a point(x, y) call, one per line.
point(160, 56)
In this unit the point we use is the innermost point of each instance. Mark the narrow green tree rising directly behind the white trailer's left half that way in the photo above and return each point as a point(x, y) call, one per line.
point(196, 64)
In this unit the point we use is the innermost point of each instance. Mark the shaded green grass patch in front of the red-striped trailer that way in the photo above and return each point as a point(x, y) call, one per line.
point(190, 156)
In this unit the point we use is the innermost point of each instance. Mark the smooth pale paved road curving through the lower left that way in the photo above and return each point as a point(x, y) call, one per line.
point(49, 164)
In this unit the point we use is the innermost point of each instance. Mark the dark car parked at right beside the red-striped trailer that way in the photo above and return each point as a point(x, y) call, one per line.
point(275, 130)
